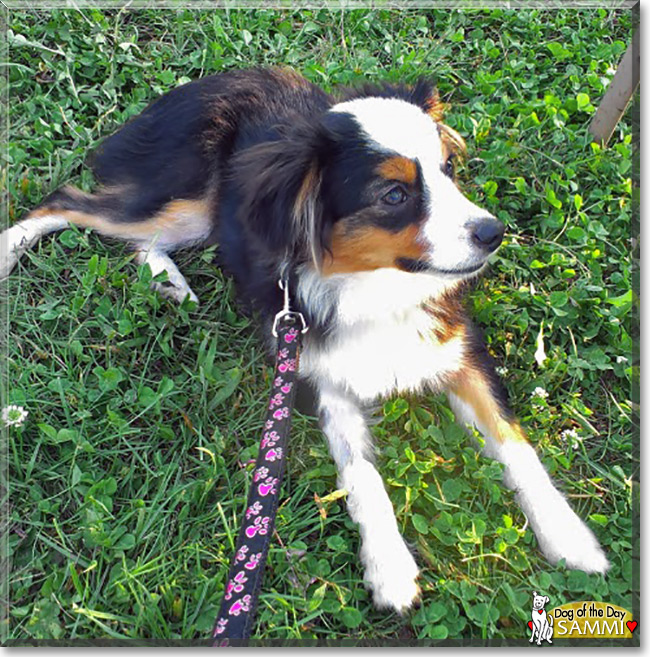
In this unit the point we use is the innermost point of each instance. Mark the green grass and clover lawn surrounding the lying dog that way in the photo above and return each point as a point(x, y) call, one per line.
point(128, 478)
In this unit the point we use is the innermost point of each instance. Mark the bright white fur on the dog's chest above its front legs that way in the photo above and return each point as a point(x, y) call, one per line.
point(377, 358)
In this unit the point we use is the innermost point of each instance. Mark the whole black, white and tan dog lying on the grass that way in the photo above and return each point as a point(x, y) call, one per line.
point(352, 200)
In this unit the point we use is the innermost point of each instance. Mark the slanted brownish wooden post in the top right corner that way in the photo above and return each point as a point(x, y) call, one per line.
point(618, 95)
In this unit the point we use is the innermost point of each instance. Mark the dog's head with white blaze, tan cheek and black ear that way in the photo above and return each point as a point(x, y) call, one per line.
point(370, 185)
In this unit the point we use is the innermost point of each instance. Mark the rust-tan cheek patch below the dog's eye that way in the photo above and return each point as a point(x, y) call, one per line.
point(370, 248)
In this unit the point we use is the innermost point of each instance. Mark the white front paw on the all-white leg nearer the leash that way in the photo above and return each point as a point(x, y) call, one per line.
point(391, 573)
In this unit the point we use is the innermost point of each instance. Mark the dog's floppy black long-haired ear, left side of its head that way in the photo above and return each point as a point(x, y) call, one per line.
point(279, 185)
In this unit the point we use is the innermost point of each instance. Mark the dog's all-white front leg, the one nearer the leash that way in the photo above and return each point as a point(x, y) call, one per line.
point(390, 570)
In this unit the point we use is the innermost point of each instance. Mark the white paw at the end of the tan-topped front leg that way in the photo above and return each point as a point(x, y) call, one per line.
point(562, 535)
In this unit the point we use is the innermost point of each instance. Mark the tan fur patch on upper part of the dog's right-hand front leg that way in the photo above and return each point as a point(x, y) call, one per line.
point(472, 388)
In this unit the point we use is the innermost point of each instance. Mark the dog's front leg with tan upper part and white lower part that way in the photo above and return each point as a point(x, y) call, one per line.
point(561, 534)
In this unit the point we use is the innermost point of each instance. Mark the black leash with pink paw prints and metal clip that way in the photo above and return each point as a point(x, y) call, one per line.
point(237, 612)
